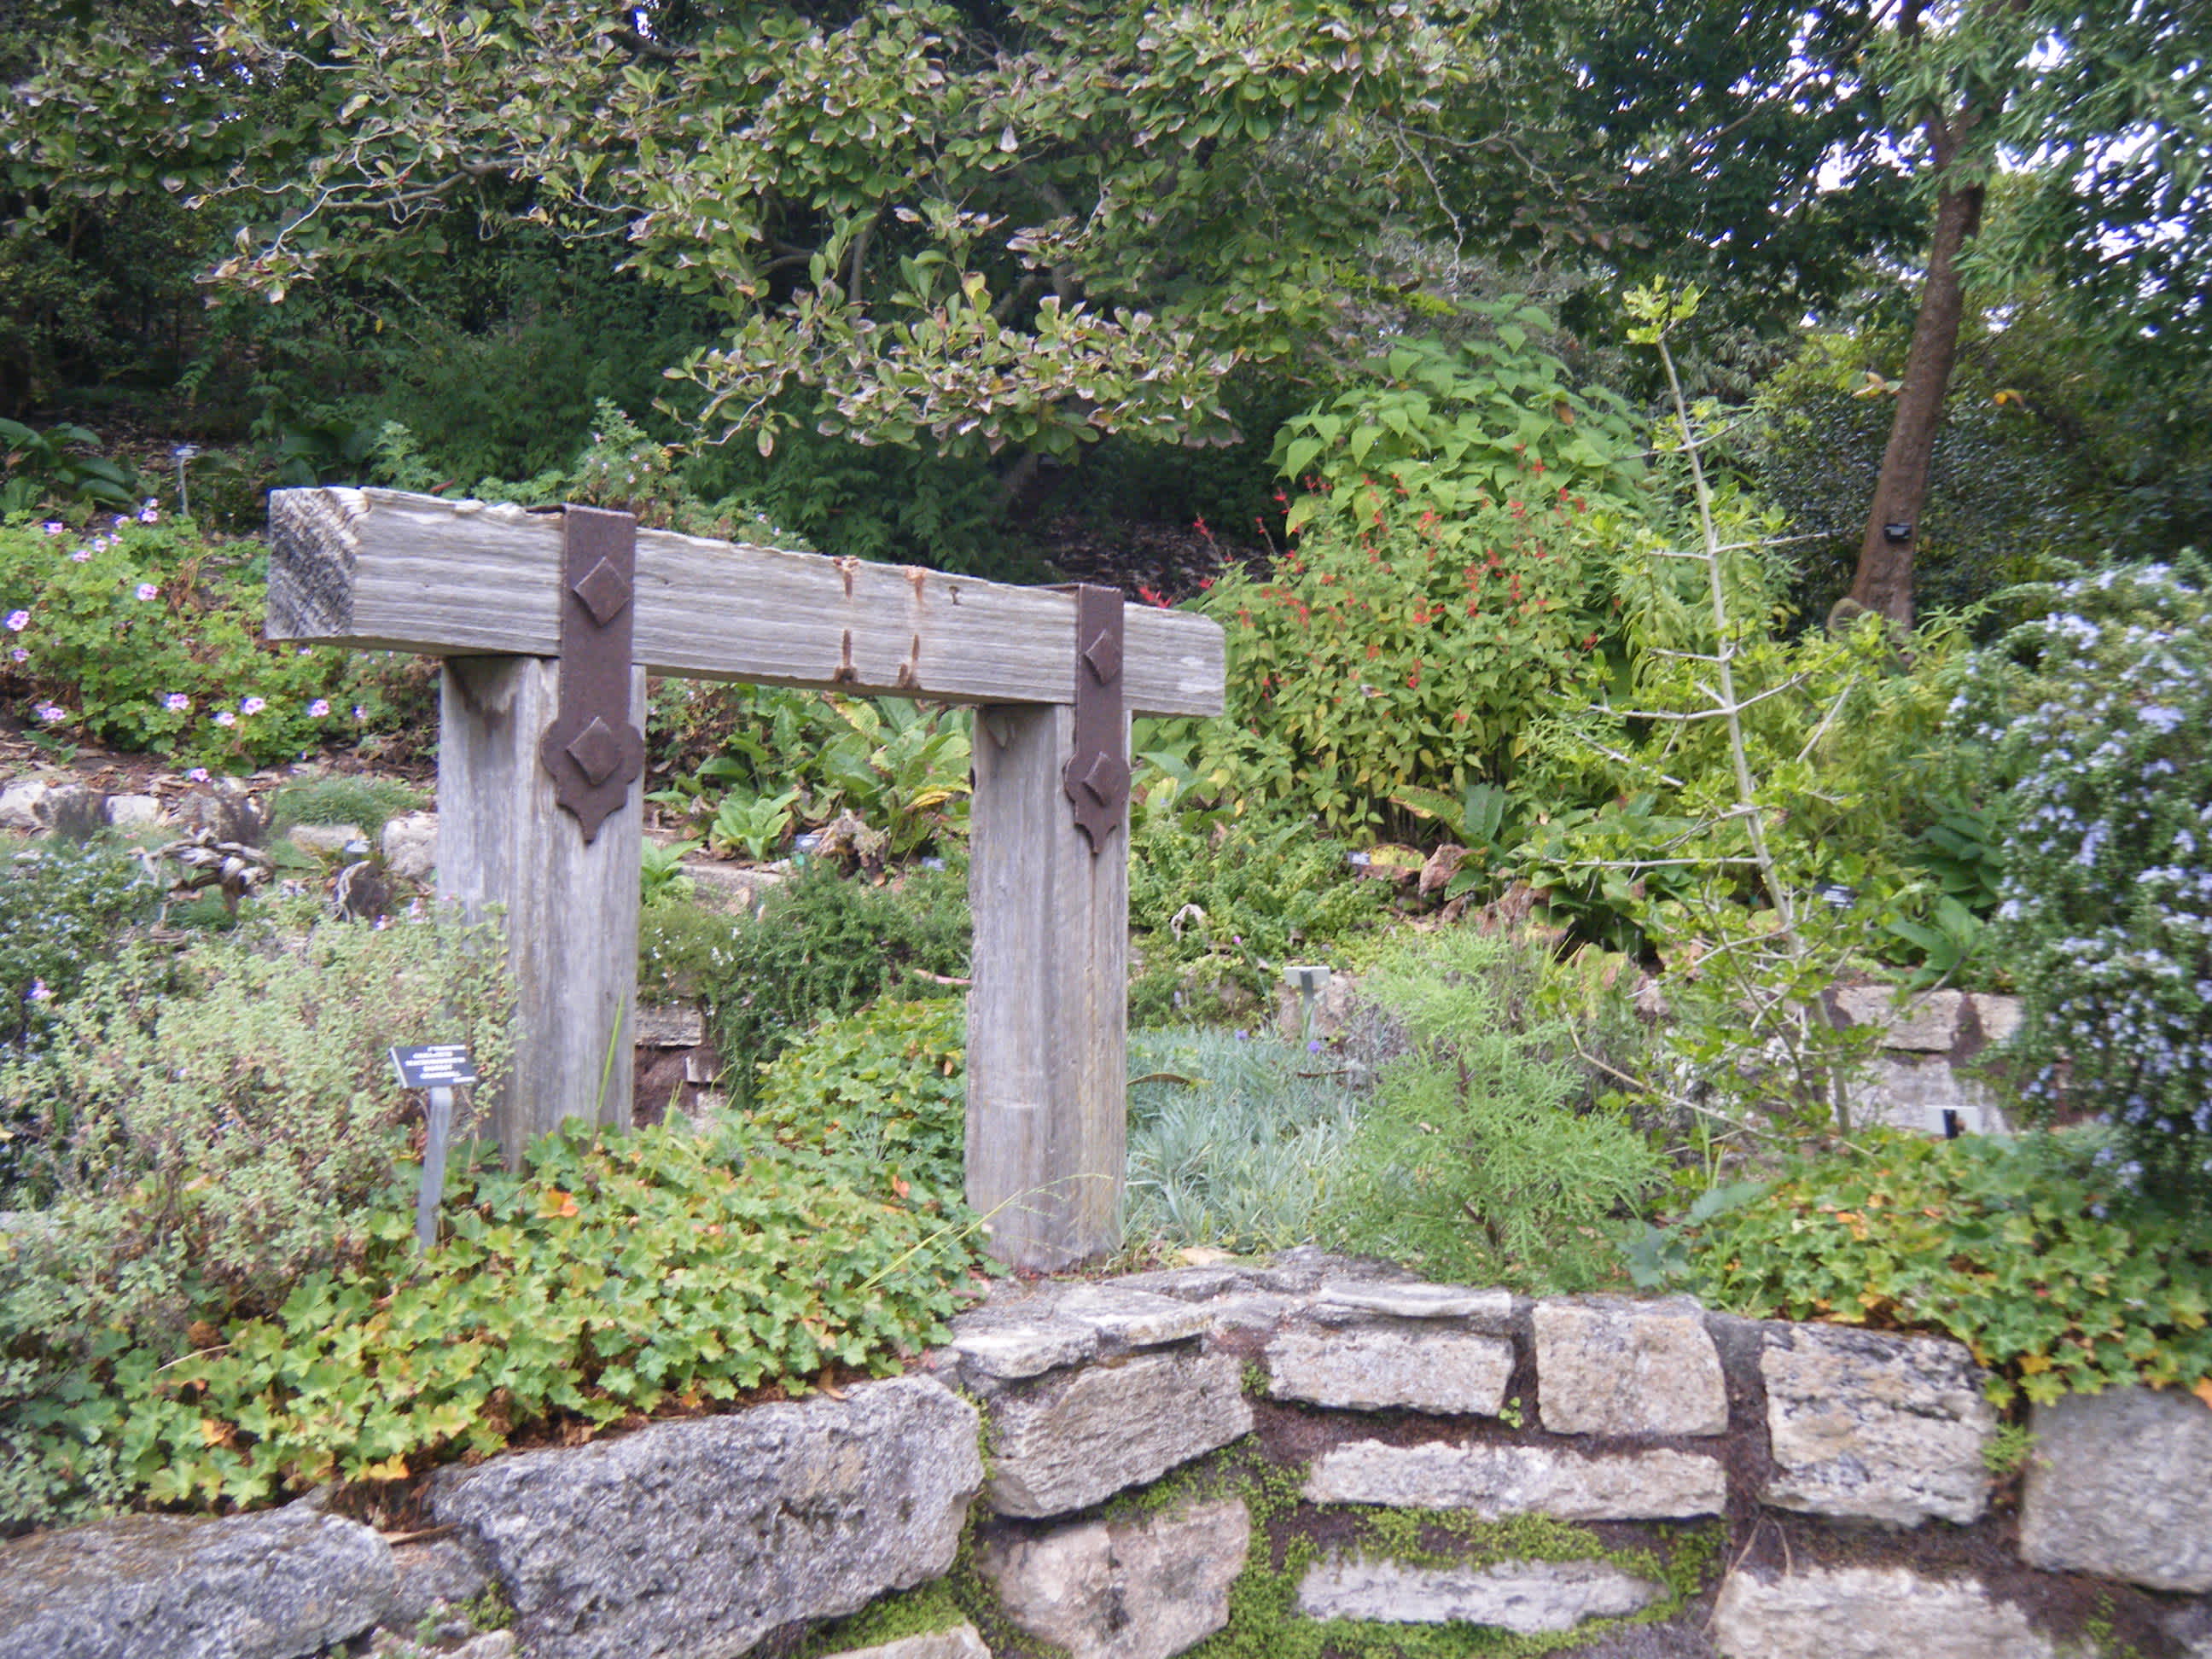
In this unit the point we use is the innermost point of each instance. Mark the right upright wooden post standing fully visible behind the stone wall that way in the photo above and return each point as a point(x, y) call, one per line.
point(1047, 1045)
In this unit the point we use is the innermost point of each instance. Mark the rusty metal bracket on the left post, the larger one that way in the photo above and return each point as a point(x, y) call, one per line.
point(592, 749)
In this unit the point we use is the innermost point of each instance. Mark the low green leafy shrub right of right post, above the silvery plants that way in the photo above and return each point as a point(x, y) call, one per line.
point(1222, 901)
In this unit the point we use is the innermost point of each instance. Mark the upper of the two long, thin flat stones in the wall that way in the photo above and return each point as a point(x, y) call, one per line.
point(1521, 1481)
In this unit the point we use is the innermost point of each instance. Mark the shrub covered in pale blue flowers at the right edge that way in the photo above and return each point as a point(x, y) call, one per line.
point(2100, 716)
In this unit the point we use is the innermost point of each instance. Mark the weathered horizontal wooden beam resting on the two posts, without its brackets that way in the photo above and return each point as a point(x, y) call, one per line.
point(384, 570)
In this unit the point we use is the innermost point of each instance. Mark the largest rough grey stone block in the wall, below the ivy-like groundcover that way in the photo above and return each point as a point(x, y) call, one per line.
point(698, 1538)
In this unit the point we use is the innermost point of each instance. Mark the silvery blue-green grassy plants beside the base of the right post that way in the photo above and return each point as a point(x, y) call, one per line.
point(1233, 1140)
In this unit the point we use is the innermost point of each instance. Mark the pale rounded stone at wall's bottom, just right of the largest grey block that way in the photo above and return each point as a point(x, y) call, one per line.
point(1125, 1589)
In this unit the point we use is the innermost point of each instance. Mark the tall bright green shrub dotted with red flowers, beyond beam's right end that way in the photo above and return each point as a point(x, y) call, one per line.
point(1454, 576)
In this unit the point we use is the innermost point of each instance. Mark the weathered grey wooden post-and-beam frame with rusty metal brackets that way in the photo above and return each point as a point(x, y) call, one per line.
point(547, 625)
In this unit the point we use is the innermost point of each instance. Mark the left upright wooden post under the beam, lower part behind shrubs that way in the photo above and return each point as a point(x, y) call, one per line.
point(570, 908)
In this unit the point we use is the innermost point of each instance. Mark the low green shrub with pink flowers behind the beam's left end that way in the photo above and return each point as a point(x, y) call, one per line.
point(149, 638)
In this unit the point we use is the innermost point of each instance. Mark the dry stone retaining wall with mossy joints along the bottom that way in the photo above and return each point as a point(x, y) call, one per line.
point(1109, 1470)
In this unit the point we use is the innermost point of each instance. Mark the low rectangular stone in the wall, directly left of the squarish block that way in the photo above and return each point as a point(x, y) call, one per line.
point(1377, 1368)
